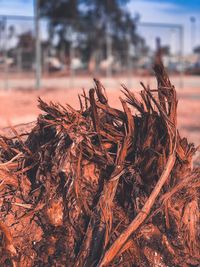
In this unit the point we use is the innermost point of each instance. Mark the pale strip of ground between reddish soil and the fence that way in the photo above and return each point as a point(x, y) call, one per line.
point(62, 81)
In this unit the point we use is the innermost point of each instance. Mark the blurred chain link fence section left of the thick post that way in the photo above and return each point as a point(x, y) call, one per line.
point(17, 52)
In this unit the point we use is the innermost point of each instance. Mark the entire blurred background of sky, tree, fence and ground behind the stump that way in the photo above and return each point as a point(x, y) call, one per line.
point(53, 49)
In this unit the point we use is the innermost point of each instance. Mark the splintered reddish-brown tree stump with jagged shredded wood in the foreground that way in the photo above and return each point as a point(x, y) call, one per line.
point(100, 186)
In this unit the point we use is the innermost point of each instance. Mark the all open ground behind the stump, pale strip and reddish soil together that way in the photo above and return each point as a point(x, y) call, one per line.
point(20, 105)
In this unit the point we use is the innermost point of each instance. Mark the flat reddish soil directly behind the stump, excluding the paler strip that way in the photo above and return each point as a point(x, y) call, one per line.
point(20, 106)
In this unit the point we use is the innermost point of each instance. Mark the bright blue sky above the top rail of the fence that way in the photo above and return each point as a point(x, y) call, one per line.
point(165, 11)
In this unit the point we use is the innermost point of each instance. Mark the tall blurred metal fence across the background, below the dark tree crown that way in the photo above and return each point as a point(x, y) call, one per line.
point(29, 57)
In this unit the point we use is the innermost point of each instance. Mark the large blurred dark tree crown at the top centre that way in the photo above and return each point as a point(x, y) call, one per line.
point(86, 25)
